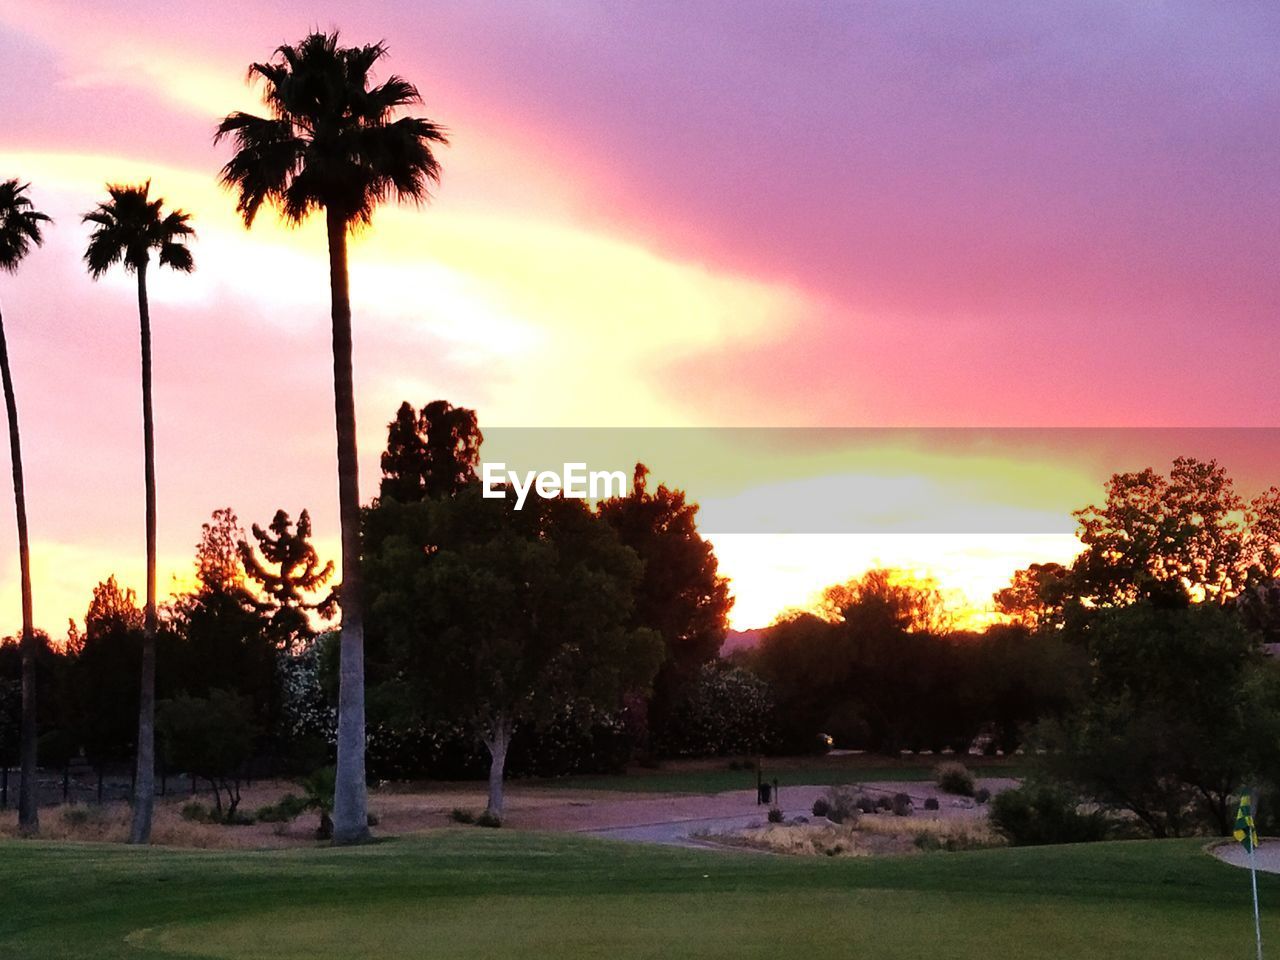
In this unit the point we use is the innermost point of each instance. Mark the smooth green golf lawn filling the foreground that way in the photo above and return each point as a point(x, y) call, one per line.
point(492, 894)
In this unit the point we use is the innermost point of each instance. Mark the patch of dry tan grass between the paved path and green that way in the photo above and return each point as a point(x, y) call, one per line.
point(871, 836)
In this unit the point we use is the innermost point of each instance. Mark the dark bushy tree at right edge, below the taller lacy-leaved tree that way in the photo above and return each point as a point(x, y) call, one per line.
point(1181, 710)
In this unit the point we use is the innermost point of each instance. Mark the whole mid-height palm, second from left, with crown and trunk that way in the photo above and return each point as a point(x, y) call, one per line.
point(129, 228)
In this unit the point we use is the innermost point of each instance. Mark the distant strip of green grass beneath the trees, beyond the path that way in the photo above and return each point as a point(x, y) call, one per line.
point(792, 771)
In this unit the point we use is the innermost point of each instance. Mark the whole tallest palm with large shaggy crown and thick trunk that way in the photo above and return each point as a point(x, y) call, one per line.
point(332, 143)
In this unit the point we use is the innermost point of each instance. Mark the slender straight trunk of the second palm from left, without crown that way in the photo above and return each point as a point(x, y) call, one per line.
point(144, 783)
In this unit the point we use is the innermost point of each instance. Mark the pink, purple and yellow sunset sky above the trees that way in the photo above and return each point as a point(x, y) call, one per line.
point(674, 216)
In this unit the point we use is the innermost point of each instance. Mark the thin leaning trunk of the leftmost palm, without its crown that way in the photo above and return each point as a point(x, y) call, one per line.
point(29, 812)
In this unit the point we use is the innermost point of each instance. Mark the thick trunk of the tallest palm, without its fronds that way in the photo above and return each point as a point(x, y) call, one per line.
point(350, 803)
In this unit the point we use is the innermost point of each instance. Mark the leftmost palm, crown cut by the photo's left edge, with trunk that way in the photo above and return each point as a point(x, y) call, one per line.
point(20, 228)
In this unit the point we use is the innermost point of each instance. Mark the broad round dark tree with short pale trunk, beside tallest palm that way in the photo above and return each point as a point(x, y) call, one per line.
point(506, 618)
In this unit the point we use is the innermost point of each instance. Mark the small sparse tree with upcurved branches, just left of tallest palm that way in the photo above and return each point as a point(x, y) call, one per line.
point(299, 573)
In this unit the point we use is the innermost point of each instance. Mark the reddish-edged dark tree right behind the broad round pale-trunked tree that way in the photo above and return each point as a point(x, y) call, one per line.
point(682, 595)
